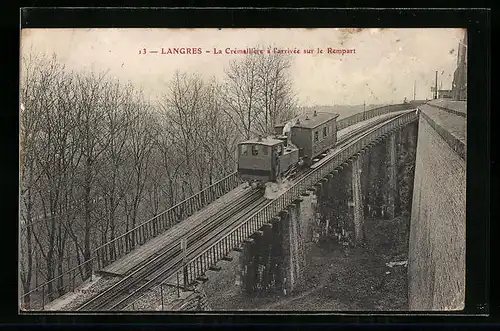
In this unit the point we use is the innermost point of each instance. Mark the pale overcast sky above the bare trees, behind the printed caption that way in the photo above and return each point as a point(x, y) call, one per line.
point(383, 69)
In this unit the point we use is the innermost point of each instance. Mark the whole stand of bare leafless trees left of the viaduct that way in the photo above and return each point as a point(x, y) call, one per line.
point(94, 150)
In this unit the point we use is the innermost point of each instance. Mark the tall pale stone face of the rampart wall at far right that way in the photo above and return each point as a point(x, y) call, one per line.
point(436, 274)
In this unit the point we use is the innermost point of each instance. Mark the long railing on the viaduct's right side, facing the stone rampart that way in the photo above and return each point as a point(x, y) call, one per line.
point(197, 265)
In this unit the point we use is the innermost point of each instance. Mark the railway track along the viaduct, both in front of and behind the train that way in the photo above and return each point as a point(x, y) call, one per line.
point(170, 260)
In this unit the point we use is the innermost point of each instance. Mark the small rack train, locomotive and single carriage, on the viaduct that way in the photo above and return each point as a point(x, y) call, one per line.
point(295, 145)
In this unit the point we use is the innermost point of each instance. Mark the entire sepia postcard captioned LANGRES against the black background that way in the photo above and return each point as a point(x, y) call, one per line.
point(244, 169)
